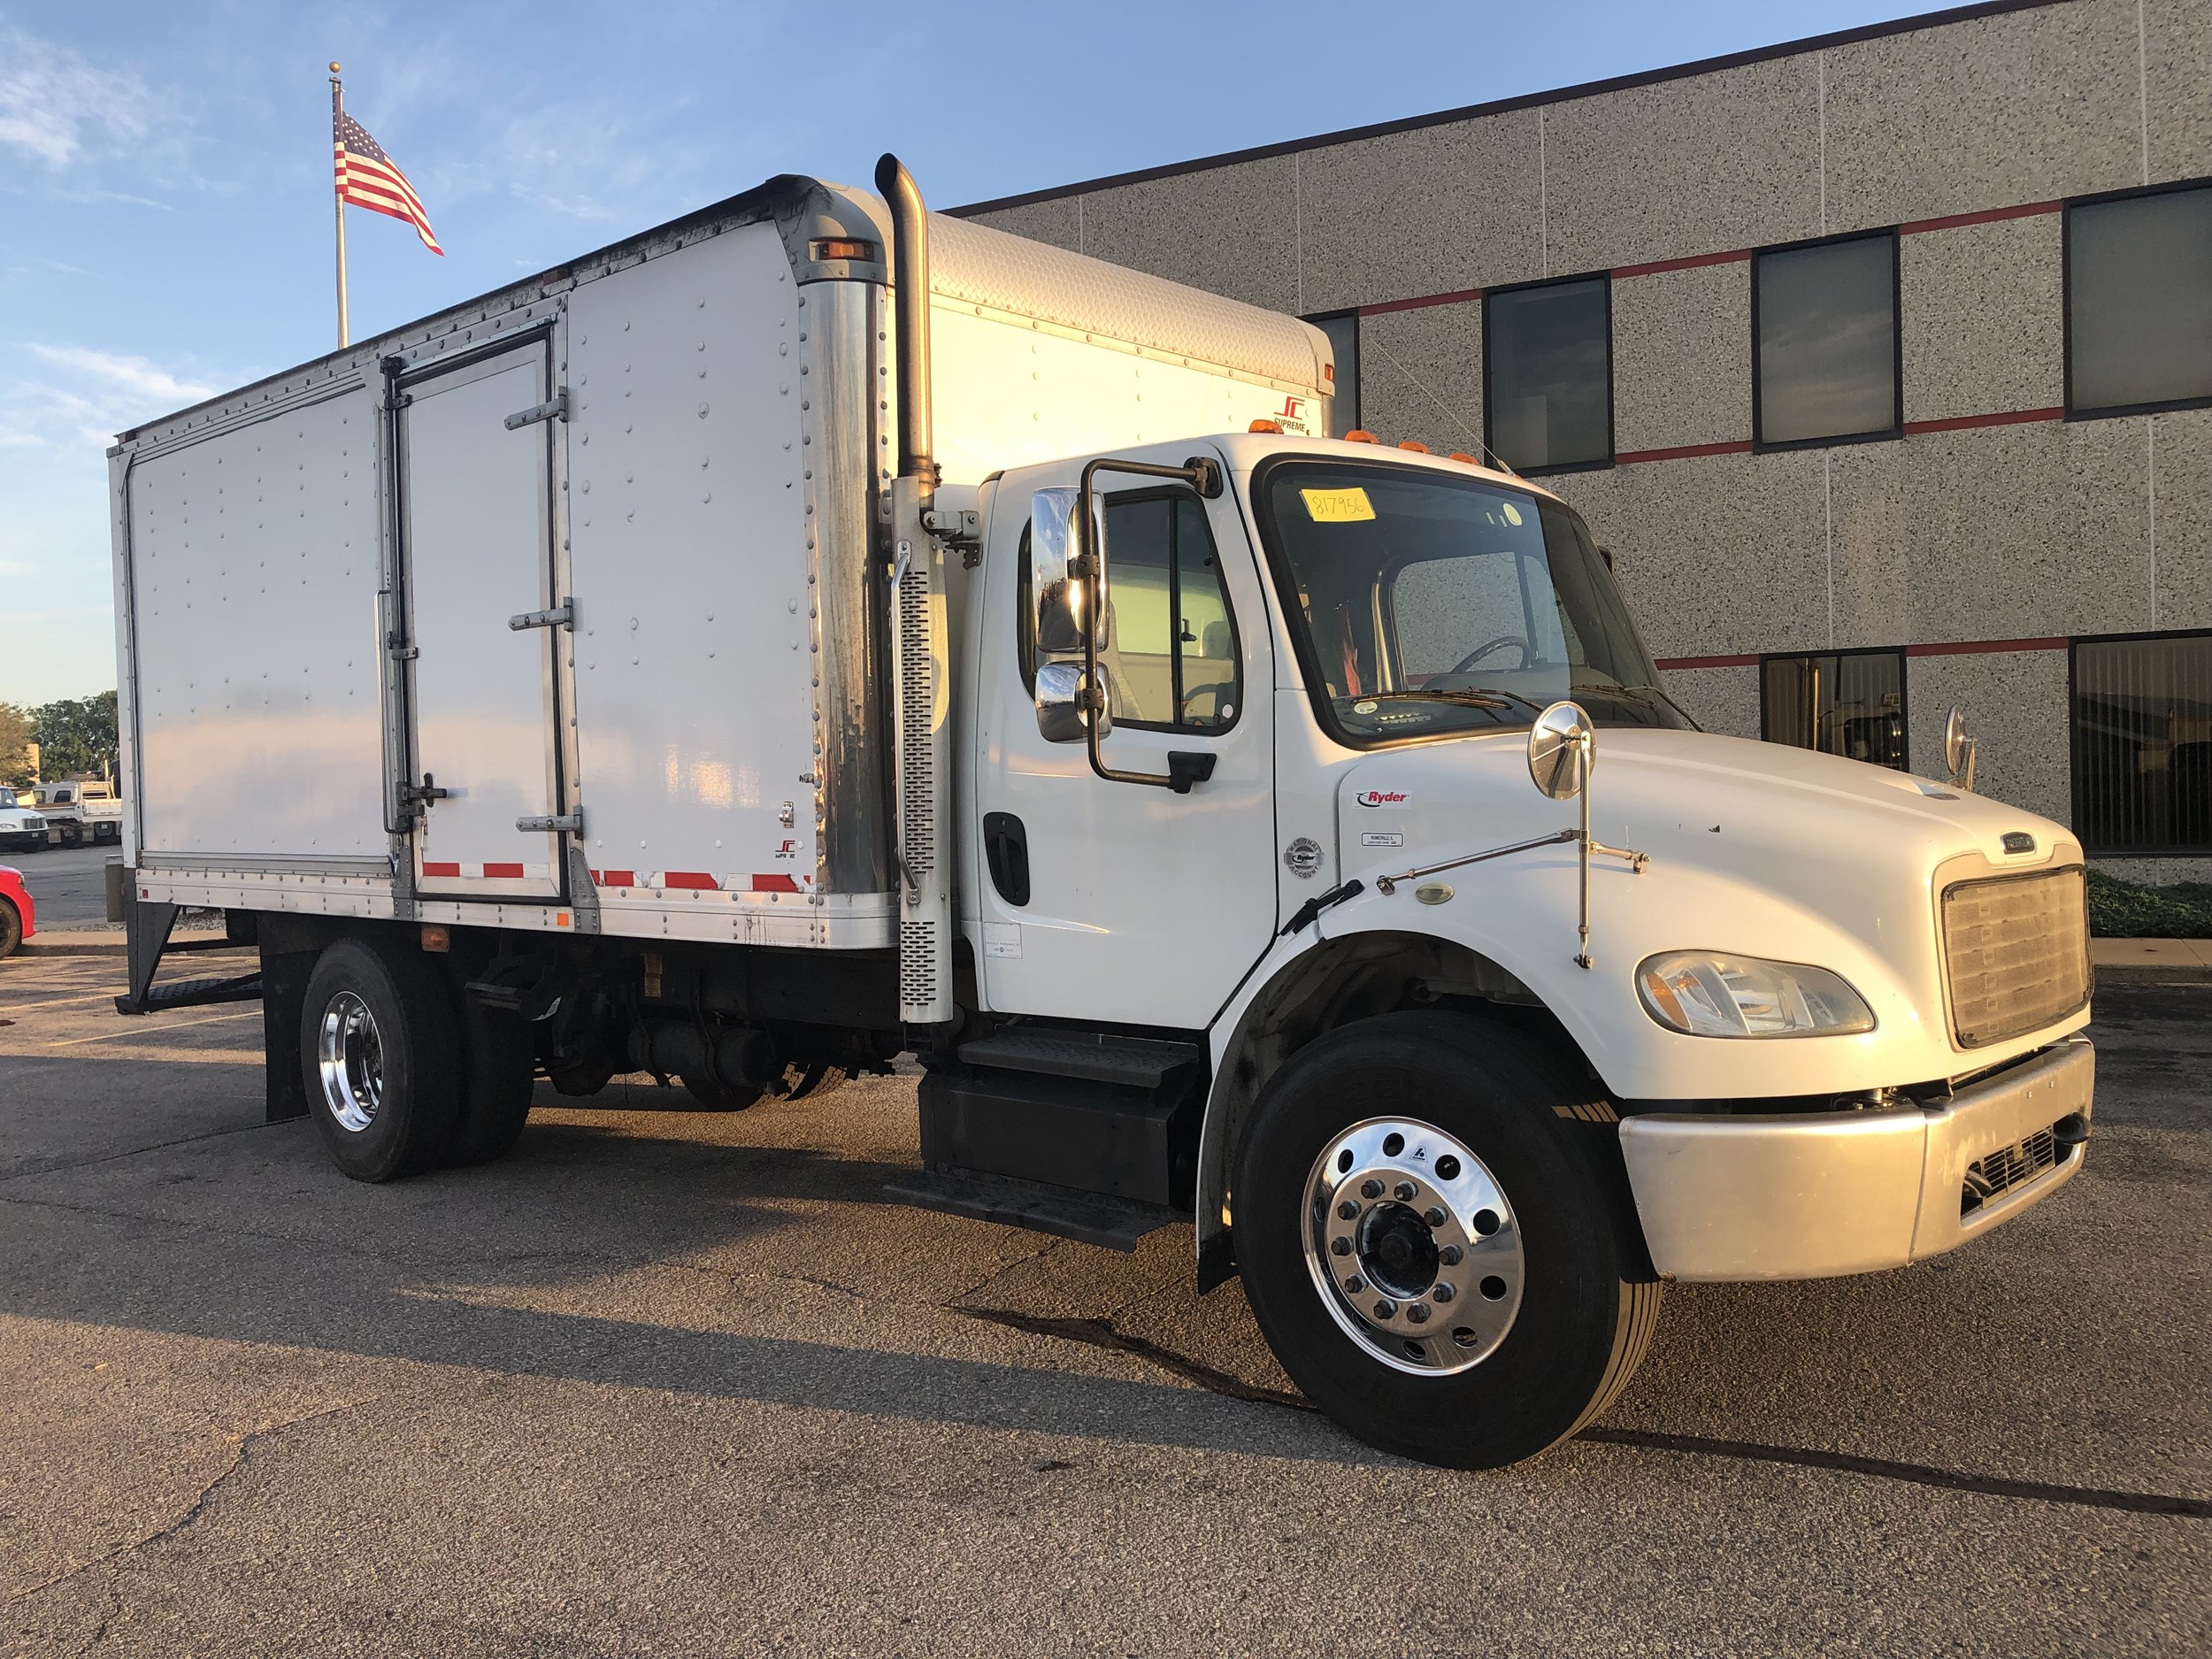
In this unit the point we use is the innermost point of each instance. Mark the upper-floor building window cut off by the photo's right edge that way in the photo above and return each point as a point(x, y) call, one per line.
point(2140, 302)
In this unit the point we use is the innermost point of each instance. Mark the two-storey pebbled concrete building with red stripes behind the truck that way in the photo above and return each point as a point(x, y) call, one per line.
point(1884, 364)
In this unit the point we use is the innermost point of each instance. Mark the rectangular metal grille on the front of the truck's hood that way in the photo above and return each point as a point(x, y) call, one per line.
point(2016, 954)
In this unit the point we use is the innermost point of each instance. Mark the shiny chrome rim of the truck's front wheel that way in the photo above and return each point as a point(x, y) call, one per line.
point(1412, 1246)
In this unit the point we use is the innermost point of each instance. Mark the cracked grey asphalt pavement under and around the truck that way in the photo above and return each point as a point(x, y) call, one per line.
point(678, 1384)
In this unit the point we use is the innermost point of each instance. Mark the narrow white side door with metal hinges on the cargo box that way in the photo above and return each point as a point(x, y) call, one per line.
point(477, 503)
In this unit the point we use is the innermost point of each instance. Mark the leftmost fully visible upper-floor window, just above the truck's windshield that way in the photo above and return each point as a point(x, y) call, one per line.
point(1547, 375)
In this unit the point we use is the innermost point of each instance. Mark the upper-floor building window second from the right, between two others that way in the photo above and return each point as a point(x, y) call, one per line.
point(1826, 342)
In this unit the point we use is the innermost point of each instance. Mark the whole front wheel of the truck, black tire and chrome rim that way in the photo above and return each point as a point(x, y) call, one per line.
point(1439, 1244)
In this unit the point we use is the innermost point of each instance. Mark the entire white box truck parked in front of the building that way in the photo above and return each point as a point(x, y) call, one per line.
point(817, 632)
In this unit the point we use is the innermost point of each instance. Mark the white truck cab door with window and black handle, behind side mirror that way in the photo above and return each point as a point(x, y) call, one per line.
point(1105, 901)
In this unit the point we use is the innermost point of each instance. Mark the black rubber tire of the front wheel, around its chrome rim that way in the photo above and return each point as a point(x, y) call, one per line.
point(1589, 1302)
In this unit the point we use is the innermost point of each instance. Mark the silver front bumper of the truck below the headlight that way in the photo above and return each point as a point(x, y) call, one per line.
point(1844, 1193)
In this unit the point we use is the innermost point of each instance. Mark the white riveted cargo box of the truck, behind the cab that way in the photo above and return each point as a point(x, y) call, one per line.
point(570, 607)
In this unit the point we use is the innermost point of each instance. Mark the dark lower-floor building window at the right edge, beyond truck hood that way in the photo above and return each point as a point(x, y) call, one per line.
point(2142, 744)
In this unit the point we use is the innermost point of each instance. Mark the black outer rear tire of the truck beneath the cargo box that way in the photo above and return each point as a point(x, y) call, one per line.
point(417, 1058)
